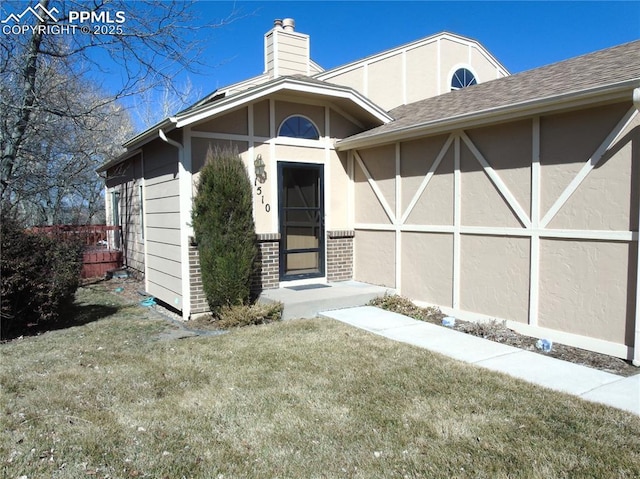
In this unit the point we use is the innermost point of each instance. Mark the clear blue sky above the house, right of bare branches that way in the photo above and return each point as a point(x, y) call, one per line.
point(521, 35)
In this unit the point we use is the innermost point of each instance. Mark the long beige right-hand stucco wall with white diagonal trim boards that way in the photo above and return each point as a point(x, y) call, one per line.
point(486, 230)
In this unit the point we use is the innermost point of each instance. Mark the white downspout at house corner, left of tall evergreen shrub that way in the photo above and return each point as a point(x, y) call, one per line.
point(184, 188)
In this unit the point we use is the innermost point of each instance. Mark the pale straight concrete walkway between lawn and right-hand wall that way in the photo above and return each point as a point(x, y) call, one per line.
point(586, 383)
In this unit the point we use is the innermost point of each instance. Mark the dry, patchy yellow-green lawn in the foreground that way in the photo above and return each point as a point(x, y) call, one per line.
point(108, 397)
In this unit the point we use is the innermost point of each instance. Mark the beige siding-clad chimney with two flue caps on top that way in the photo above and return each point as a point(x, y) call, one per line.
point(286, 52)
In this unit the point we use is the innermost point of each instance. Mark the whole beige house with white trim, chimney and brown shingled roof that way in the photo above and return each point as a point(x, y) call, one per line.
point(426, 168)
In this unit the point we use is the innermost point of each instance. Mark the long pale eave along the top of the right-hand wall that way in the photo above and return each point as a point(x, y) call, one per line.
point(618, 91)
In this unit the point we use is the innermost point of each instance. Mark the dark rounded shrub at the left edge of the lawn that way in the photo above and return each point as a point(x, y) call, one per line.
point(38, 280)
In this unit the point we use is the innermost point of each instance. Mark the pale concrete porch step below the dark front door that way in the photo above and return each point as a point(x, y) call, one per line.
point(308, 300)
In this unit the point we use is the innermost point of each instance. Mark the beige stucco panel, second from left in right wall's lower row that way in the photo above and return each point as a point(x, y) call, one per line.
point(427, 274)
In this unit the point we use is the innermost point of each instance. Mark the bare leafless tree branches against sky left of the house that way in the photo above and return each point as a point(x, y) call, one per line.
point(58, 117)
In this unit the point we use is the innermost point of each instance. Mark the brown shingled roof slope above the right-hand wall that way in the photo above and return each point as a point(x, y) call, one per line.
point(595, 72)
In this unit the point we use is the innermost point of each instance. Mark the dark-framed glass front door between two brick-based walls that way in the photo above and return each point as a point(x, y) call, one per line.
point(301, 208)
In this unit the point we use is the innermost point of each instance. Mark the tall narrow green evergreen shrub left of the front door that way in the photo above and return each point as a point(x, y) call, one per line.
point(225, 231)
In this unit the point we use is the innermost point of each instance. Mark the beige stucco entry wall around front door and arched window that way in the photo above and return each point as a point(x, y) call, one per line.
point(279, 149)
